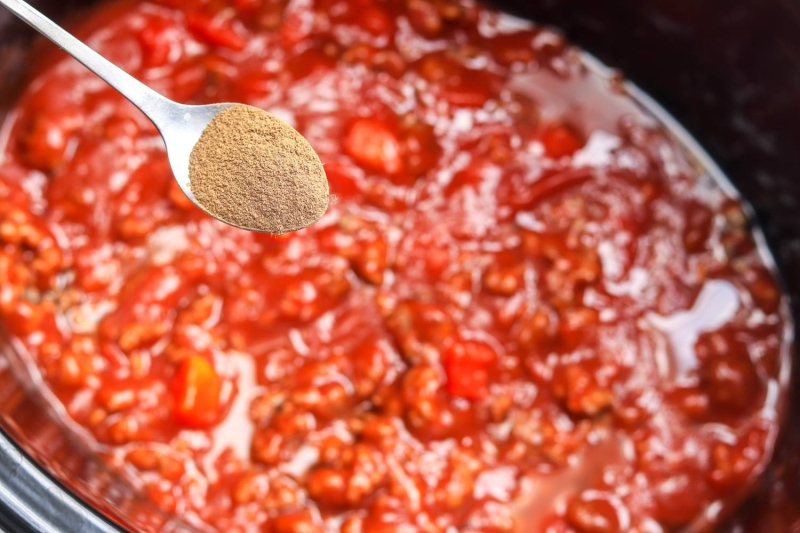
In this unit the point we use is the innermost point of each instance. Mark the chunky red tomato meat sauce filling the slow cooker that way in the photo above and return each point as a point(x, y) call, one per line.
point(527, 309)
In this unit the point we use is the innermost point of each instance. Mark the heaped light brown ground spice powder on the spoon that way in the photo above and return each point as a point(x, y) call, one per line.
point(252, 170)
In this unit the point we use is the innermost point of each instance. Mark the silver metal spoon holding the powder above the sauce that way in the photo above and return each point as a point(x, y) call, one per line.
point(180, 125)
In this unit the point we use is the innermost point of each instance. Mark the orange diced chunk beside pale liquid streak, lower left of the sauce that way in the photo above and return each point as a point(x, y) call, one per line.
point(196, 388)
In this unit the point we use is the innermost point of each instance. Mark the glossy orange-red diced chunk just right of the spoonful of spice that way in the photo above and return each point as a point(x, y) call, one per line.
point(371, 143)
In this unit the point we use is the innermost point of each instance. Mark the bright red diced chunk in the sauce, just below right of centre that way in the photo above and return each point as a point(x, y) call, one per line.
point(467, 365)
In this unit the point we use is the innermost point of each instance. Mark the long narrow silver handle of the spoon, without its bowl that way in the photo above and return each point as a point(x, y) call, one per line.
point(140, 95)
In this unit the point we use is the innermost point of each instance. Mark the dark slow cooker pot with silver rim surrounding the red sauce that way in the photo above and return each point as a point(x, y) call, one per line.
point(730, 75)
